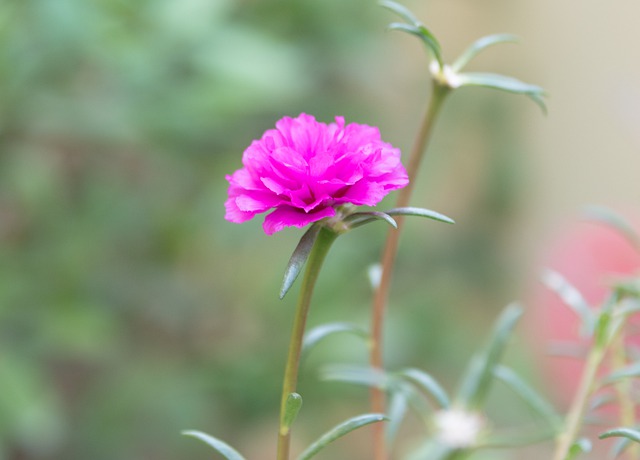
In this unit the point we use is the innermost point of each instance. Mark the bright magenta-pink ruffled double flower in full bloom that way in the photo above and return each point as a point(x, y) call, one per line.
point(304, 169)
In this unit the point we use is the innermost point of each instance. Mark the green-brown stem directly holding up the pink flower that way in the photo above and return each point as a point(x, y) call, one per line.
point(320, 249)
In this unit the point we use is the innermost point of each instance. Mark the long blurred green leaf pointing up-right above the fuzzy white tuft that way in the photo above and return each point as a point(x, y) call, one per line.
point(479, 376)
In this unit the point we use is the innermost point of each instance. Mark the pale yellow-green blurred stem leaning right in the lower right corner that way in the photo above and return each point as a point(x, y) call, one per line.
point(576, 414)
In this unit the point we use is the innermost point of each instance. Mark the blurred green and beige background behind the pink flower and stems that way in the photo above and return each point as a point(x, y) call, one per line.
point(131, 310)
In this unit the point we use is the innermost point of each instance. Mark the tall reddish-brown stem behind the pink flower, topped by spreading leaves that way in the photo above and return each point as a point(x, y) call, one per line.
point(390, 250)
